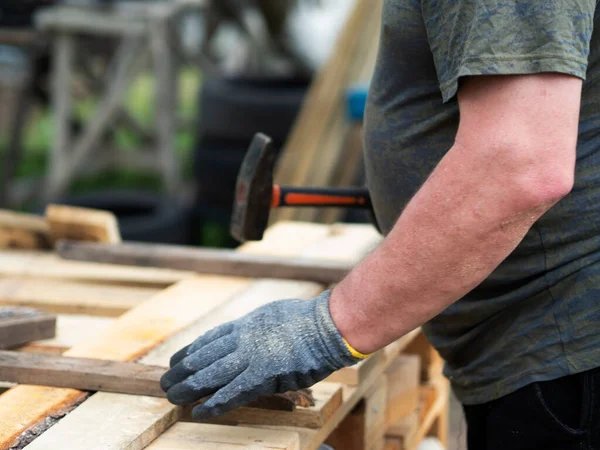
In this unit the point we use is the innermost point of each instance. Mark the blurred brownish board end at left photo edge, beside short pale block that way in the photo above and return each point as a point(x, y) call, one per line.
point(23, 231)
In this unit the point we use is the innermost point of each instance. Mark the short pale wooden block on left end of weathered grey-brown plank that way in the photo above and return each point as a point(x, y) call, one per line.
point(82, 224)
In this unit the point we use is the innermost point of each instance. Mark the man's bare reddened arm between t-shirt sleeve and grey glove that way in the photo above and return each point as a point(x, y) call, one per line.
point(513, 158)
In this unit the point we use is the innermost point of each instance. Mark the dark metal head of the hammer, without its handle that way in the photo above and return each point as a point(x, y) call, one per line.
point(254, 191)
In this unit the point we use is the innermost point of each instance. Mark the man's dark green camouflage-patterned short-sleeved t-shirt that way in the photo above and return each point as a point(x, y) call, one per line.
point(537, 317)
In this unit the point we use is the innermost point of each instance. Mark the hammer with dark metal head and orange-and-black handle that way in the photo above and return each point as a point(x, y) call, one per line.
point(256, 194)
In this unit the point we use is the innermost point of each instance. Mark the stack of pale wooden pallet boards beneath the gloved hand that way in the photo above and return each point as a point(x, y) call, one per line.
point(145, 314)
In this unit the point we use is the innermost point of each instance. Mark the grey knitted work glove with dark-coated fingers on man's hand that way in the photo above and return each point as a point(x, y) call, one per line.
point(282, 346)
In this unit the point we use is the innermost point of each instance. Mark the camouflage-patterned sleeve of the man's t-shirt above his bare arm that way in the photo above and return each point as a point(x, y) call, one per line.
point(504, 37)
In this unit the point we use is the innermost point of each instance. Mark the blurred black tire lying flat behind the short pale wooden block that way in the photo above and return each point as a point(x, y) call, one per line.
point(142, 216)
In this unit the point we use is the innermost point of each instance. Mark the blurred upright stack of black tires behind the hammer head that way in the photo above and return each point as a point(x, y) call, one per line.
point(232, 110)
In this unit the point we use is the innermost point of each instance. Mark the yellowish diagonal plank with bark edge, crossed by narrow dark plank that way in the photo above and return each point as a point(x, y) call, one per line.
point(131, 336)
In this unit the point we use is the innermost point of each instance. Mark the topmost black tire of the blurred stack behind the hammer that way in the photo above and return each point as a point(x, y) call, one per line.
point(237, 108)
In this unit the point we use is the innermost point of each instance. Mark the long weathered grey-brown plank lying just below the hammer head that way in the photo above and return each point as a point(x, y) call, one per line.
point(206, 261)
